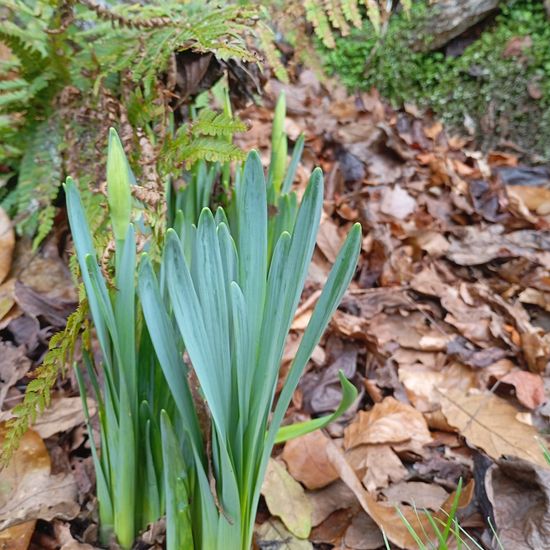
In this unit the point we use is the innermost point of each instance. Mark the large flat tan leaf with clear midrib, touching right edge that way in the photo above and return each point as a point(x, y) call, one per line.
point(490, 423)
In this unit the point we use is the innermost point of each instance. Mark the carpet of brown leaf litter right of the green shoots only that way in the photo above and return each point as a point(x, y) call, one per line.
point(445, 329)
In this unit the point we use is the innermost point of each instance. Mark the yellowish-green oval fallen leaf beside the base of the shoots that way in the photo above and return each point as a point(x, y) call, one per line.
point(287, 500)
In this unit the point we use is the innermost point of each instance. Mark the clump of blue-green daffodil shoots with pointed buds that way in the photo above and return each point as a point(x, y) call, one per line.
point(192, 332)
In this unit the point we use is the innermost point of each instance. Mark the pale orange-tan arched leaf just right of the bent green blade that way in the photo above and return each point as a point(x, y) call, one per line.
point(388, 422)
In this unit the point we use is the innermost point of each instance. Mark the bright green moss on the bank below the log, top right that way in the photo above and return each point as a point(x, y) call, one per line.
point(483, 84)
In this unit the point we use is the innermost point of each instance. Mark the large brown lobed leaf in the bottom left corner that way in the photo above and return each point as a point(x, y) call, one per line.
point(29, 492)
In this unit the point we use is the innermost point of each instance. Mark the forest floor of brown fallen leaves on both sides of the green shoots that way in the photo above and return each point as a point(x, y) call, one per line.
point(444, 331)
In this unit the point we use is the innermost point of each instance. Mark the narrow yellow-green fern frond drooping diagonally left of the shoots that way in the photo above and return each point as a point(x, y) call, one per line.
point(38, 393)
